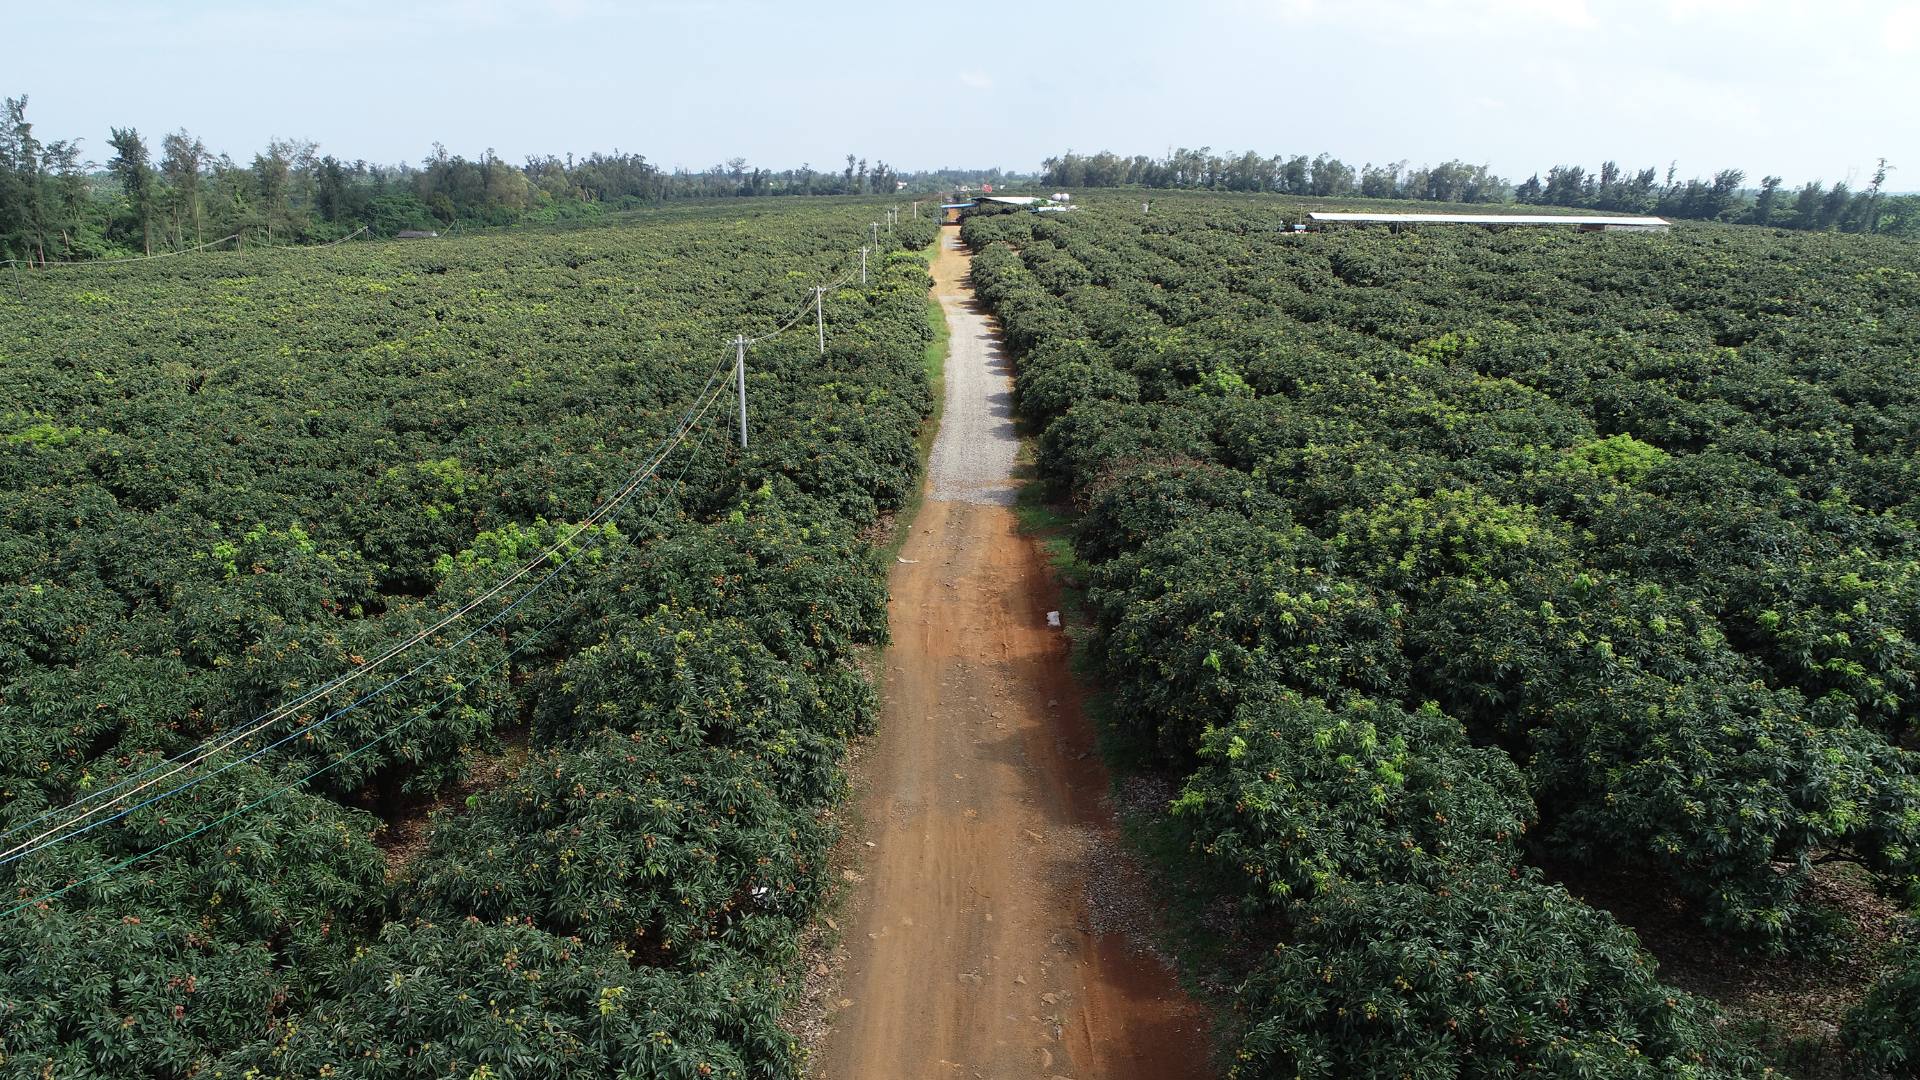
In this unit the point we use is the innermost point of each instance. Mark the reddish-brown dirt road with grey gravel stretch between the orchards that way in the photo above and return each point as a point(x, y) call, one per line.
point(992, 918)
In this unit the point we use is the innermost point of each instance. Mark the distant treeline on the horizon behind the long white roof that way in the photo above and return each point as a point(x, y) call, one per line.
point(1723, 197)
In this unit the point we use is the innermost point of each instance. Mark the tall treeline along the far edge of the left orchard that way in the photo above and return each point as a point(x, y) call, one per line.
point(145, 199)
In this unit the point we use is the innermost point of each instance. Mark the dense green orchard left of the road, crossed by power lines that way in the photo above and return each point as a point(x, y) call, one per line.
point(214, 516)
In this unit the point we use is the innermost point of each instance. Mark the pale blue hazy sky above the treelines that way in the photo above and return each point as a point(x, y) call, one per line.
point(1798, 89)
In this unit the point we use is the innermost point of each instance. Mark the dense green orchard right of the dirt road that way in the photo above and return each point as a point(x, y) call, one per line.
point(1429, 570)
